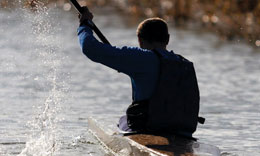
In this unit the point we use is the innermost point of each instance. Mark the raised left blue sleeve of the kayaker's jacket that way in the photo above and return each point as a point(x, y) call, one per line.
point(128, 60)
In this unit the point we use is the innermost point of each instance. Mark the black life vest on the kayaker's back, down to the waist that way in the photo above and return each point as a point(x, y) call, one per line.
point(174, 106)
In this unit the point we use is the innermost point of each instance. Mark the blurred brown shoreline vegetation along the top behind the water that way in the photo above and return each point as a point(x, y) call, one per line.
point(230, 19)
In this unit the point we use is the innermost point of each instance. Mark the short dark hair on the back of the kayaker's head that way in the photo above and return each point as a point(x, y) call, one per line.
point(153, 30)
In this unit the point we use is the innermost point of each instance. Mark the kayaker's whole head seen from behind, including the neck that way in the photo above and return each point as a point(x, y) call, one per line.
point(153, 33)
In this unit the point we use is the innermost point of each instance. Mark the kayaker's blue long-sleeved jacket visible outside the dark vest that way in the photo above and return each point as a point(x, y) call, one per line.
point(141, 65)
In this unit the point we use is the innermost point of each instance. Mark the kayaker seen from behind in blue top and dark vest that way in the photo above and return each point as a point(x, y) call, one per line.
point(142, 64)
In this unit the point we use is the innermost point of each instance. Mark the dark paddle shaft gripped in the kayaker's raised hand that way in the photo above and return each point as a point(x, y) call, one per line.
point(91, 23)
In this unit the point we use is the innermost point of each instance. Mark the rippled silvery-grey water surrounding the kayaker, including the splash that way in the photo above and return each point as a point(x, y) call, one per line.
point(48, 88)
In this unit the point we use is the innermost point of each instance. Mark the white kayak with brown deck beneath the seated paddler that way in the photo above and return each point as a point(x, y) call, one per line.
point(148, 145)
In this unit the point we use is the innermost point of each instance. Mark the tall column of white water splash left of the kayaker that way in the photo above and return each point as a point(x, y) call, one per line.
point(43, 140)
